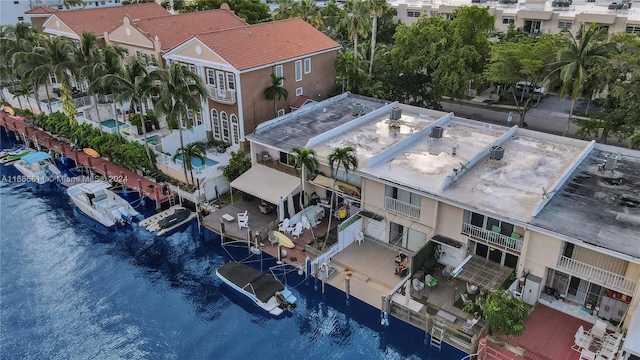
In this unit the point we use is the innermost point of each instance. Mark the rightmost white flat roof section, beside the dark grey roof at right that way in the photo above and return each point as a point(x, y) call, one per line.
point(532, 163)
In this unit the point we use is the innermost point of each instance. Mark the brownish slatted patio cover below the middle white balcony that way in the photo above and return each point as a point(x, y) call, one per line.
point(484, 273)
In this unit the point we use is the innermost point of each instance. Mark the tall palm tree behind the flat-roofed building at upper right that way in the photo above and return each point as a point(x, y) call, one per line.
point(579, 55)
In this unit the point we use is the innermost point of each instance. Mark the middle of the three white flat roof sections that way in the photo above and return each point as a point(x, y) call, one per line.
point(427, 162)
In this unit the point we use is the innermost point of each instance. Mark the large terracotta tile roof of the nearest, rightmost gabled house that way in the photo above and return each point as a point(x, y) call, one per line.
point(266, 43)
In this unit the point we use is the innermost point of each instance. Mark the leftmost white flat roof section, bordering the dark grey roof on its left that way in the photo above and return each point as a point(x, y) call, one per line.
point(371, 138)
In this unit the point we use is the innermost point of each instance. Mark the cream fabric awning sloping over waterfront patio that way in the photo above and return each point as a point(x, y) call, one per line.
point(266, 183)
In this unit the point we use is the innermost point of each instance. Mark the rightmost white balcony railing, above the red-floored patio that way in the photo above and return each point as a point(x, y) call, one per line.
point(589, 272)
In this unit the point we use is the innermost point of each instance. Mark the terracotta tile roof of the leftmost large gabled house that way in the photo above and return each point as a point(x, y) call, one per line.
point(104, 19)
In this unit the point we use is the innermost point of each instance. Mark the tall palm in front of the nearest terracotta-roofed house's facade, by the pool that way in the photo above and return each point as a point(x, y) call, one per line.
point(181, 91)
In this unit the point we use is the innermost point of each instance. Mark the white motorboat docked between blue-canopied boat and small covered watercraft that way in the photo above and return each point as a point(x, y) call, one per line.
point(95, 200)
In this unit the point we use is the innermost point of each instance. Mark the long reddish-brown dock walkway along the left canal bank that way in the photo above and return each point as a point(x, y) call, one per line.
point(112, 172)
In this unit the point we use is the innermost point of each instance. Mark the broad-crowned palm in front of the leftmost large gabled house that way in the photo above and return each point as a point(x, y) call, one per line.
point(50, 57)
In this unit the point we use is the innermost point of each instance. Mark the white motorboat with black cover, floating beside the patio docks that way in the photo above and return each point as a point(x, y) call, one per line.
point(264, 290)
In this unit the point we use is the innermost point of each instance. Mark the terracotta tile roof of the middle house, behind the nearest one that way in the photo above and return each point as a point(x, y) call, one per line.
point(175, 29)
